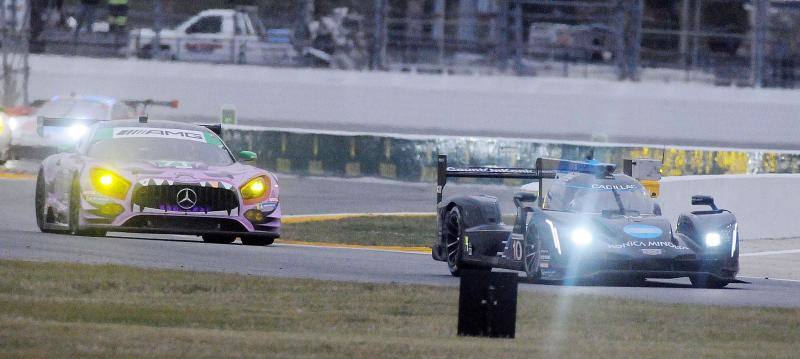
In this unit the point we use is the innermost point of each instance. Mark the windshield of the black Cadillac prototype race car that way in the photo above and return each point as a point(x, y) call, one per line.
point(598, 197)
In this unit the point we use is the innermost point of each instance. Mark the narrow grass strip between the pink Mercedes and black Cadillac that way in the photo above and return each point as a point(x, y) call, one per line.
point(384, 231)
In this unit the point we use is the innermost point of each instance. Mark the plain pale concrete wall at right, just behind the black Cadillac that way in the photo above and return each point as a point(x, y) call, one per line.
point(765, 205)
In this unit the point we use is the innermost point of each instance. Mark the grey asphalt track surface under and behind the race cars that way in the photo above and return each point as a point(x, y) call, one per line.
point(20, 239)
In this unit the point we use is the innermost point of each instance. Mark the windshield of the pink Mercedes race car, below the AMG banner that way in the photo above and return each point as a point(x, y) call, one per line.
point(160, 149)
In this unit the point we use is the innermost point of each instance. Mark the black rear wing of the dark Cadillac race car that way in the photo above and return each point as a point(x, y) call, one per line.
point(444, 172)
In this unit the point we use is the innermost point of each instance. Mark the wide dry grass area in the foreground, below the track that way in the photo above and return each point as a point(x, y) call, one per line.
point(73, 310)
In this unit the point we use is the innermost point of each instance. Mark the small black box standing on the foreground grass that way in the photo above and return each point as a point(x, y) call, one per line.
point(487, 304)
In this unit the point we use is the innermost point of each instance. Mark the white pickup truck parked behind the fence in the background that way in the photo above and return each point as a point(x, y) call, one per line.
point(219, 36)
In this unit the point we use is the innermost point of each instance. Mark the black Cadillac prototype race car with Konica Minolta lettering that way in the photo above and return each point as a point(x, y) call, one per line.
point(591, 222)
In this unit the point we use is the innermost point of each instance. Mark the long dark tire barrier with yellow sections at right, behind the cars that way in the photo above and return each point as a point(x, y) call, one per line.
point(412, 158)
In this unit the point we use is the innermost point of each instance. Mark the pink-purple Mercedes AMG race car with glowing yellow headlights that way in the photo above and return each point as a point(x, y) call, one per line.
point(157, 177)
